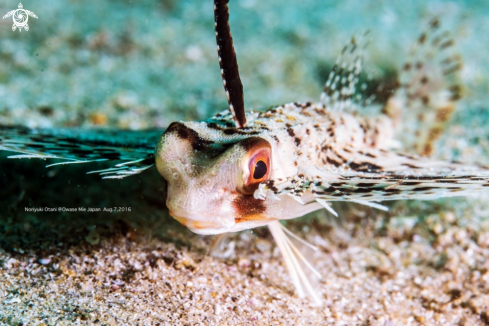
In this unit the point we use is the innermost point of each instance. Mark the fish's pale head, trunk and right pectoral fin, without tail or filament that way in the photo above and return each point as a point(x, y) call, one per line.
point(316, 154)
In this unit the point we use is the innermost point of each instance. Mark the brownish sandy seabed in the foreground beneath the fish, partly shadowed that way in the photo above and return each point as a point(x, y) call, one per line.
point(422, 263)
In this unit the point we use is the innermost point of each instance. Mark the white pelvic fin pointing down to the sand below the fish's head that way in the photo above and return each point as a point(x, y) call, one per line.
point(294, 259)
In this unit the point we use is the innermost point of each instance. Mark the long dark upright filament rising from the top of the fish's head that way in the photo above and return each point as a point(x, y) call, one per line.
point(228, 63)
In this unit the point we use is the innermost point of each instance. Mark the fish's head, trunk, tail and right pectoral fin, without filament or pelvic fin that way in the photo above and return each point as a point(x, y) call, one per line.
point(314, 153)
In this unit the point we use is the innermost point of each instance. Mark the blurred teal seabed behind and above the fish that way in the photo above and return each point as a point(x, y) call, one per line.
point(140, 64)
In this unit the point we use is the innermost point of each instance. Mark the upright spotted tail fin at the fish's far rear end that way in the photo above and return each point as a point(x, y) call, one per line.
point(429, 89)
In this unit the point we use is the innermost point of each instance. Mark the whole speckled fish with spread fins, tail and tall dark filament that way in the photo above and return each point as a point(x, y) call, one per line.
point(245, 169)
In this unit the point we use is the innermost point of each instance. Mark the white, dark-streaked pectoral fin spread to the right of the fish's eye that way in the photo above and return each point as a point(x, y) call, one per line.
point(367, 180)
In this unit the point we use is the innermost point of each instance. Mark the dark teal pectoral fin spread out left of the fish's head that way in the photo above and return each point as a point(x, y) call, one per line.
point(131, 151)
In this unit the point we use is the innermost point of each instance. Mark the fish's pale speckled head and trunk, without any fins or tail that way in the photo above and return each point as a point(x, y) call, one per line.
point(203, 160)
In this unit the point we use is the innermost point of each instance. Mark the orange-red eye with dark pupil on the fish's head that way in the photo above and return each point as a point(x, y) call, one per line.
point(257, 164)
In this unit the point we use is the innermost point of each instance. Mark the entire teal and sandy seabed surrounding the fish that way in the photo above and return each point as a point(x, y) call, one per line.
point(144, 64)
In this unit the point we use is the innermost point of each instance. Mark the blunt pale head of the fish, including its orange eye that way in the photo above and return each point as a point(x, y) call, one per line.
point(212, 177)
